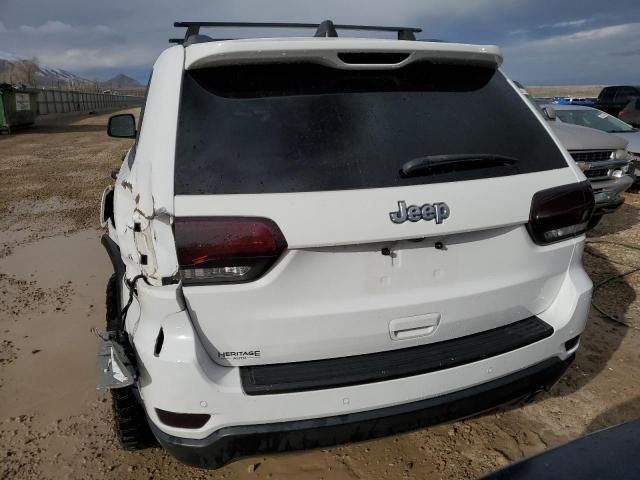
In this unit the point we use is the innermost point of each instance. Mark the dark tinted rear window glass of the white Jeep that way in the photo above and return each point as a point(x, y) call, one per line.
point(307, 127)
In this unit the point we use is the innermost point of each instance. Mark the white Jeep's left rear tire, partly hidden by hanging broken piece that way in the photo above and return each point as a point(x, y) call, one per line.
point(129, 419)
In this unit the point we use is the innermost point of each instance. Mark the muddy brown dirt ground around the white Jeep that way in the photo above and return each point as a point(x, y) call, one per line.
point(53, 423)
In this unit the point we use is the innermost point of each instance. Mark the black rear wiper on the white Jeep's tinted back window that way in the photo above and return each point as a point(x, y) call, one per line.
point(432, 164)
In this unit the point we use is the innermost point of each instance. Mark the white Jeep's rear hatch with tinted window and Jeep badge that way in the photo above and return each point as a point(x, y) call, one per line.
point(376, 259)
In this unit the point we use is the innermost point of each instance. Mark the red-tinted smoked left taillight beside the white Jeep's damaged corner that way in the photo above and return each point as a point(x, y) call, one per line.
point(226, 249)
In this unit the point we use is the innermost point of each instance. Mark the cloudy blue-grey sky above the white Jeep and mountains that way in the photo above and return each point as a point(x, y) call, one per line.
point(544, 42)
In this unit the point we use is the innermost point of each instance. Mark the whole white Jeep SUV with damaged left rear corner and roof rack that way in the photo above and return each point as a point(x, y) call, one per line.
point(325, 239)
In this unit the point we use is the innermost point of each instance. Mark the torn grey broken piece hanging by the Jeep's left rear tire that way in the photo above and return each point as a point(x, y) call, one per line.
point(115, 368)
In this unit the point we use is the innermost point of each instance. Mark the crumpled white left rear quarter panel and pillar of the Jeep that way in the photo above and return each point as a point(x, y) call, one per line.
point(149, 182)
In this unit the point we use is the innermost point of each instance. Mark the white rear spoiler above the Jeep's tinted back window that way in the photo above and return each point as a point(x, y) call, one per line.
point(325, 51)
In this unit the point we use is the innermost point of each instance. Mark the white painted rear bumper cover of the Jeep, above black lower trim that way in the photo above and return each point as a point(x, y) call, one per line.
point(183, 378)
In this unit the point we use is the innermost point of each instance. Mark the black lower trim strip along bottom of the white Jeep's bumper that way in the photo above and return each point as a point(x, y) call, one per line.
point(233, 442)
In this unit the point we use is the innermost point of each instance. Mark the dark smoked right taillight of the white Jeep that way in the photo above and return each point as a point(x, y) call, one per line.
point(561, 212)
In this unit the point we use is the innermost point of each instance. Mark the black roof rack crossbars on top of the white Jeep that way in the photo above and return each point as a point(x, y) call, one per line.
point(323, 29)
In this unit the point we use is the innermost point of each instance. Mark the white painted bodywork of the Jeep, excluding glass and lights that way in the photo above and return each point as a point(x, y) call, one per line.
point(332, 294)
